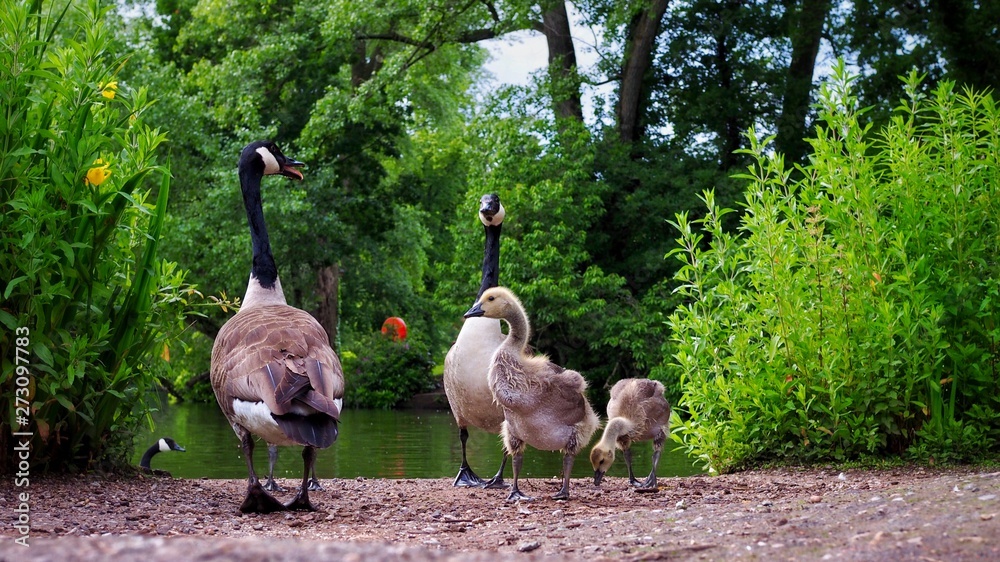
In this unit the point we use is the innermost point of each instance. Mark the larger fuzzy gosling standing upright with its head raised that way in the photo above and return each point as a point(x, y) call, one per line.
point(544, 404)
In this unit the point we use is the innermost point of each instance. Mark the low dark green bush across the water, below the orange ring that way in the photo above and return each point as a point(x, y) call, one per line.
point(383, 373)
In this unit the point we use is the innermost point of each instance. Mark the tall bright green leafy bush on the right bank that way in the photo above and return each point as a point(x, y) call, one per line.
point(857, 313)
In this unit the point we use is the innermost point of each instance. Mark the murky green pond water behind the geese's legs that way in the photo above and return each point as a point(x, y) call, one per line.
point(372, 443)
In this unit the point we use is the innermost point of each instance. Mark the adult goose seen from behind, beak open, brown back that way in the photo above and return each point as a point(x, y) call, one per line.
point(273, 371)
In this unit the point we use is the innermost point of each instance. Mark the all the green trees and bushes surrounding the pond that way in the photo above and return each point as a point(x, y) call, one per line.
point(803, 252)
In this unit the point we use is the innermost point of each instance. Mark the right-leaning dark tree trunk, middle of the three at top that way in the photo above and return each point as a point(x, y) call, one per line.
point(638, 59)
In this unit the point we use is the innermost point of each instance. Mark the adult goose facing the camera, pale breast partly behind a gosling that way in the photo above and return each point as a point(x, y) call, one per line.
point(468, 360)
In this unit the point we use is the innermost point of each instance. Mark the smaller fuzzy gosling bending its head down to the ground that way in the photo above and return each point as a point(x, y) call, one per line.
point(637, 412)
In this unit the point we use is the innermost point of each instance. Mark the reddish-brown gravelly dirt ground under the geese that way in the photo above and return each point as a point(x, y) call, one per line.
point(786, 514)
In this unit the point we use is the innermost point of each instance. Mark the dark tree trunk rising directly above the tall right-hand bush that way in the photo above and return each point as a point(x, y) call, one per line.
point(805, 31)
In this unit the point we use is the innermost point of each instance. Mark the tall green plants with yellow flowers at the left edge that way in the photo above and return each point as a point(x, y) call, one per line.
point(80, 264)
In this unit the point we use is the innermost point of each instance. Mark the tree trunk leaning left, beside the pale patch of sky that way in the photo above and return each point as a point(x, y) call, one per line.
point(563, 78)
